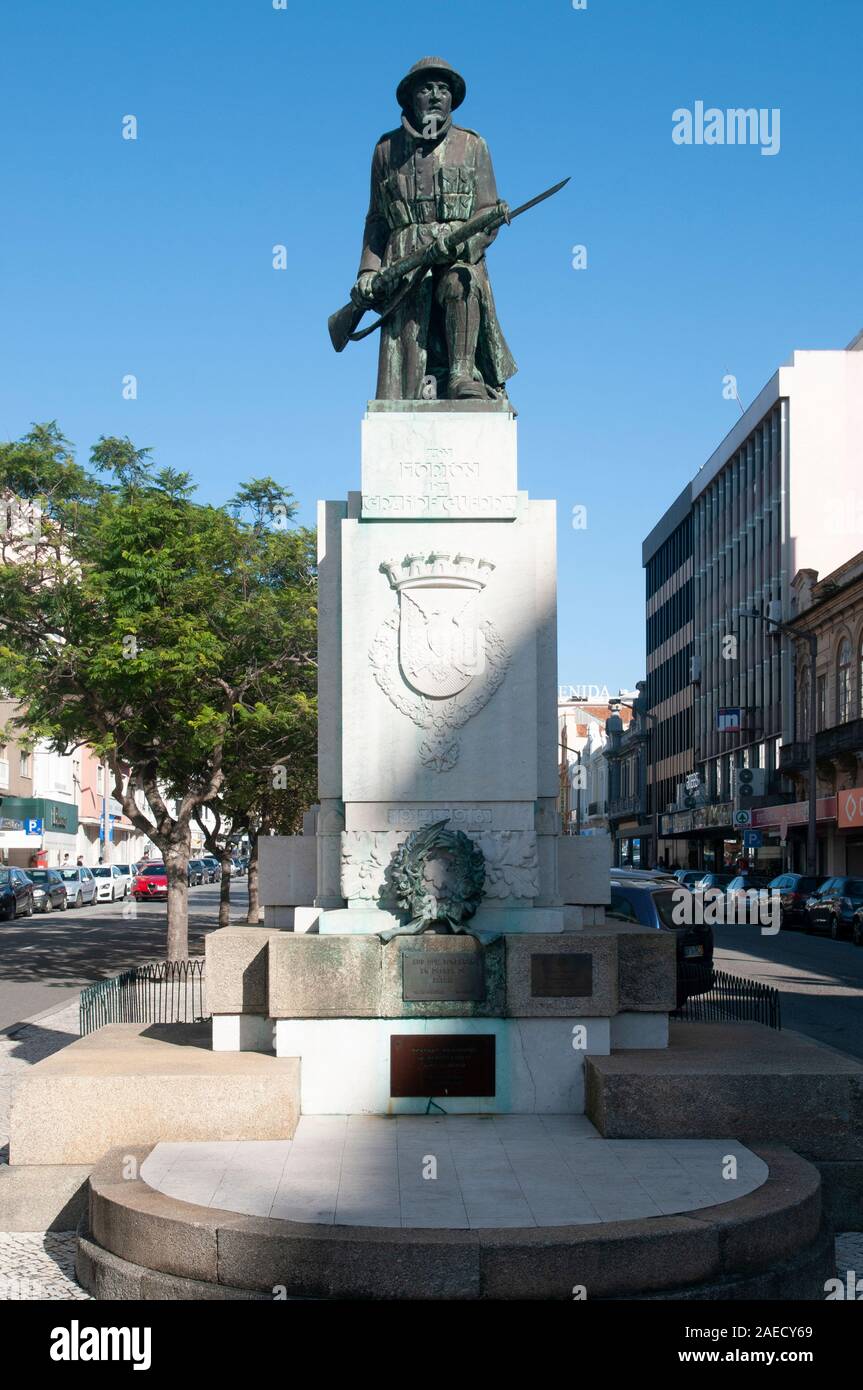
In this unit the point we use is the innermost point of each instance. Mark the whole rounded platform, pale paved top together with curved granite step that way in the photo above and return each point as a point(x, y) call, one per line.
point(141, 1243)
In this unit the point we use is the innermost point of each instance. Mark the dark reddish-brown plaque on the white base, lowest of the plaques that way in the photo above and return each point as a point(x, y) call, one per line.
point(441, 1064)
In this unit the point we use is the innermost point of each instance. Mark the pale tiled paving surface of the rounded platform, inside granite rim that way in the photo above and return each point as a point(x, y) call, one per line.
point(455, 1174)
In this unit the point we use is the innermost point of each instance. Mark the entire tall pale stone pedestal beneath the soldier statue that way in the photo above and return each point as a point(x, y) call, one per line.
point(438, 703)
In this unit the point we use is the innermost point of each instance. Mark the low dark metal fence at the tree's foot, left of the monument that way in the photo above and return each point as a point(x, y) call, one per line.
point(166, 992)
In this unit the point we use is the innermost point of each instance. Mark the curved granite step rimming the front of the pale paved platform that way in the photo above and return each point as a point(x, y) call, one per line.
point(140, 1243)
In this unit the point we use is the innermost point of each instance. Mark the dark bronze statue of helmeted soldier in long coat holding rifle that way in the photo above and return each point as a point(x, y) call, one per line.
point(427, 179)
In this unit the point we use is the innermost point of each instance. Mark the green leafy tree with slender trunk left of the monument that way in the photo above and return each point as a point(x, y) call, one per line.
point(152, 628)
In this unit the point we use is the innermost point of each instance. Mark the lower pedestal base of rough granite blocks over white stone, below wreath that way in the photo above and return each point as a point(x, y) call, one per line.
point(545, 1000)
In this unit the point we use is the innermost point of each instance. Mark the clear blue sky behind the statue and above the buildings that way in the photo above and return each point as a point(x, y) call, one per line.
point(258, 126)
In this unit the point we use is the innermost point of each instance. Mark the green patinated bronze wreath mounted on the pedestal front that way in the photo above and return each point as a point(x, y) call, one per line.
point(466, 879)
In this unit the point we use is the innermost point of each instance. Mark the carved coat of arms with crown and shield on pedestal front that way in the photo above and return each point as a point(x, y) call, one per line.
point(437, 658)
